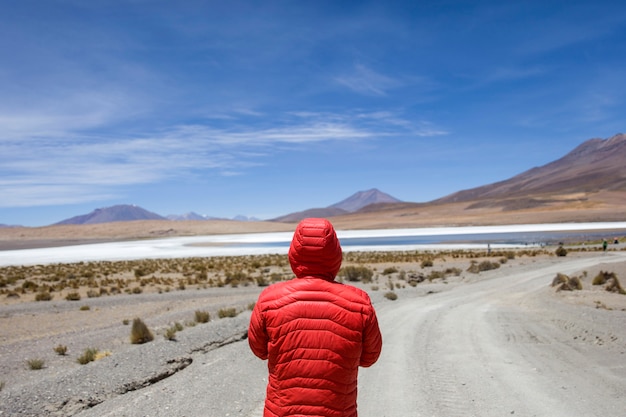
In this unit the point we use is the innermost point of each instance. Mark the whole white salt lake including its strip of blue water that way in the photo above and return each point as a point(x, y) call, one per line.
point(436, 238)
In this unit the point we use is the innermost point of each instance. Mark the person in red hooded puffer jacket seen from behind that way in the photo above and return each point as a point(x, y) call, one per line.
point(313, 331)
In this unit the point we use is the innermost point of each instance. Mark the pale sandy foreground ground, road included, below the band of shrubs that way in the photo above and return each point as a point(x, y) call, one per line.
point(499, 342)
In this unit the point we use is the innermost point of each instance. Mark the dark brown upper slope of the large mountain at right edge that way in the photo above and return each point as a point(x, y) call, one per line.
point(597, 165)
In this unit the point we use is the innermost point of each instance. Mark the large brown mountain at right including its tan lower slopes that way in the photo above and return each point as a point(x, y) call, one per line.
point(586, 185)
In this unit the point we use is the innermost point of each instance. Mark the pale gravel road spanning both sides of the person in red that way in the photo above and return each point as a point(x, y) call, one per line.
point(491, 344)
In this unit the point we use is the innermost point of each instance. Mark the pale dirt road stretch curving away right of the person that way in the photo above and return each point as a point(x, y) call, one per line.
point(497, 347)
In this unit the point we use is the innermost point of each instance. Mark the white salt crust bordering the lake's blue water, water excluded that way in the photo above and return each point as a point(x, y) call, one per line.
point(265, 243)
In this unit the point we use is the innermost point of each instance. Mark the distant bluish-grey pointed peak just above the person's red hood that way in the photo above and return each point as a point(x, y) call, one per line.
point(354, 203)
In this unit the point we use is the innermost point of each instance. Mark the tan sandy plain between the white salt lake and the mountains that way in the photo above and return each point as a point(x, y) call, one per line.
point(600, 207)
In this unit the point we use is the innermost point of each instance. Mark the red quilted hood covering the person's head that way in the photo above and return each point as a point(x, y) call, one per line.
point(315, 249)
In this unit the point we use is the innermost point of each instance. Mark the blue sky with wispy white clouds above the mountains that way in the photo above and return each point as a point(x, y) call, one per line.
point(263, 108)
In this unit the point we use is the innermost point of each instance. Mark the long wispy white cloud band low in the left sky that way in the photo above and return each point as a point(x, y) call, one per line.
point(79, 168)
